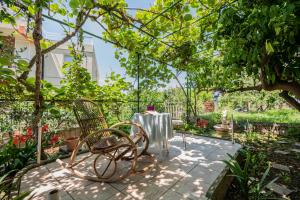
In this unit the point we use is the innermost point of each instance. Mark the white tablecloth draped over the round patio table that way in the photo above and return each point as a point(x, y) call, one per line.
point(158, 126)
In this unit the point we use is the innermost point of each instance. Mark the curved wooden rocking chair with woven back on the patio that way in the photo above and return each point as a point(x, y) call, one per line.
point(109, 143)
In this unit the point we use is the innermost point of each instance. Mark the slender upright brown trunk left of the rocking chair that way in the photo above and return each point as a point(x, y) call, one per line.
point(37, 37)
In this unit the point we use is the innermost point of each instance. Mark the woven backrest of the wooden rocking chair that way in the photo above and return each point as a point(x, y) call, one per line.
point(90, 120)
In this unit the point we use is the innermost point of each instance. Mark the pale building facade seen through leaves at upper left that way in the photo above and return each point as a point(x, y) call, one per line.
point(53, 61)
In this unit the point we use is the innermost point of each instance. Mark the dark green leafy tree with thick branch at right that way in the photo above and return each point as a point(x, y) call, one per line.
point(260, 40)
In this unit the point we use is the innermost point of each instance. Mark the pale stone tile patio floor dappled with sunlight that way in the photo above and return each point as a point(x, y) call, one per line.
point(180, 174)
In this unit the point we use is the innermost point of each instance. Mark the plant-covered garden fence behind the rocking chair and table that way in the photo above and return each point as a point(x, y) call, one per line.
point(17, 114)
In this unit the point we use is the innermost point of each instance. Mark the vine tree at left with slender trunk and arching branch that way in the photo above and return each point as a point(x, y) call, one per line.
point(80, 11)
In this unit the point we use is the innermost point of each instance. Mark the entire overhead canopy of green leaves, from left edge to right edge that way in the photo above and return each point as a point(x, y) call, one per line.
point(228, 45)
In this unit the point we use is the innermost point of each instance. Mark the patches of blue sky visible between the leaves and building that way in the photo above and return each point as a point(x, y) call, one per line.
point(104, 51)
